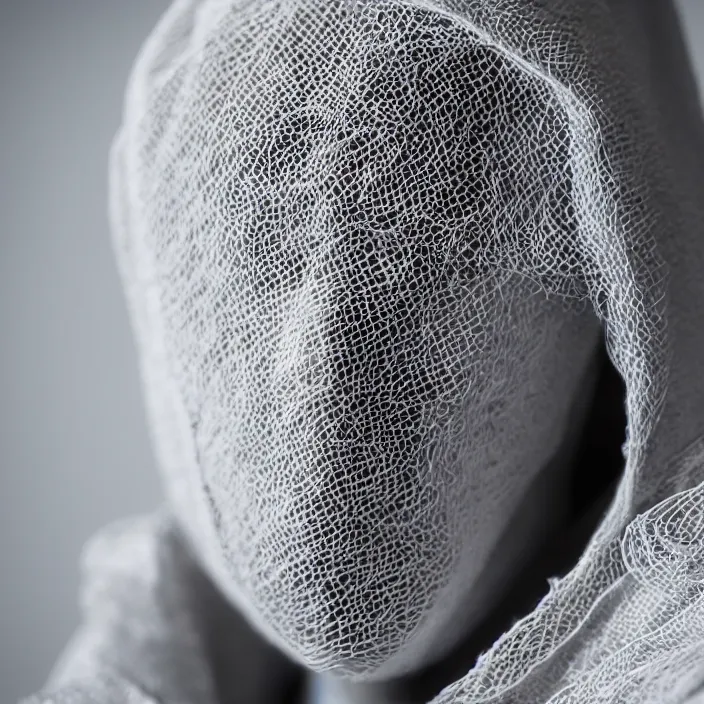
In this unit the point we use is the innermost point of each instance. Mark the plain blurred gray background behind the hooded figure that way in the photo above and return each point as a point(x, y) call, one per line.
point(74, 449)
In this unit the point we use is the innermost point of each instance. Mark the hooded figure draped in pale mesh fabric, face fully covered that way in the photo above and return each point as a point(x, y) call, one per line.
point(370, 252)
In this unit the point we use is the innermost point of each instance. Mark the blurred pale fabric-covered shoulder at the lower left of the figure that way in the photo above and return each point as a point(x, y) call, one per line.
point(140, 636)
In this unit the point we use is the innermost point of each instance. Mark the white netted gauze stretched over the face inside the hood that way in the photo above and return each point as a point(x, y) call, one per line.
point(335, 236)
